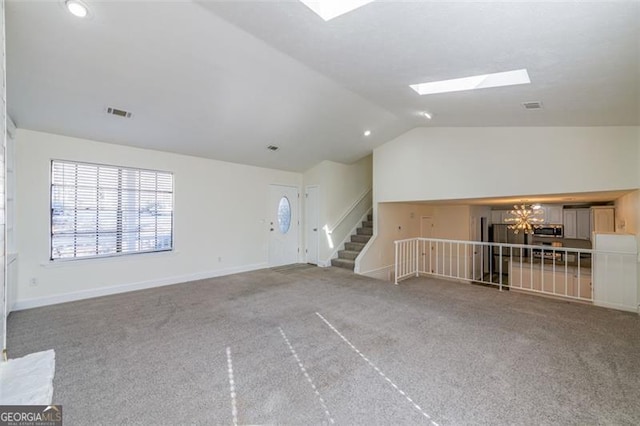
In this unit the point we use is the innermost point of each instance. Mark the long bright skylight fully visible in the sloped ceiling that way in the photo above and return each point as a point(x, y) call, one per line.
point(507, 78)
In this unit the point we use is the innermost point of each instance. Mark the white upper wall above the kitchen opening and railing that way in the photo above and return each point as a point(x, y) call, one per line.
point(461, 163)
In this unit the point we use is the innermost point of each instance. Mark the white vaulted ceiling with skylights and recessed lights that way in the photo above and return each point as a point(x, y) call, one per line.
point(224, 79)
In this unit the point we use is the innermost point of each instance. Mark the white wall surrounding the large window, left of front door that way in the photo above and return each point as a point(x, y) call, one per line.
point(220, 211)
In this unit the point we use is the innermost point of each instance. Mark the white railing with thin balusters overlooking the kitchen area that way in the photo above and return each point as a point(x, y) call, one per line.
point(556, 271)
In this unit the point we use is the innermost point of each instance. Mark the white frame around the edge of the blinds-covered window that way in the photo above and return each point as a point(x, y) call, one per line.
point(120, 255)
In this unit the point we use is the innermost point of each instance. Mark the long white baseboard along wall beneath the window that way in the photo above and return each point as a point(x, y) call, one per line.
point(124, 288)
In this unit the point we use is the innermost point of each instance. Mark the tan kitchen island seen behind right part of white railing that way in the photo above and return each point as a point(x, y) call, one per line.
point(555, 278)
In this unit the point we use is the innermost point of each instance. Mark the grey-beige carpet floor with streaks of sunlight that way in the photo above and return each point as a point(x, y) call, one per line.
point(322, 346)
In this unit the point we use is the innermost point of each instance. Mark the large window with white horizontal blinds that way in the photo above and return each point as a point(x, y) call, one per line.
point(100, 210)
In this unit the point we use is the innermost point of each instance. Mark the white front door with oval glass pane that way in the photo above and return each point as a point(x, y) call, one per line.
point(283, 225)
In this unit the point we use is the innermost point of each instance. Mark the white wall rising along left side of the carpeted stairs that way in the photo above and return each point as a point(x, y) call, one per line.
point(340, 186)
